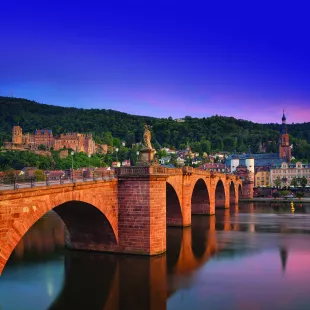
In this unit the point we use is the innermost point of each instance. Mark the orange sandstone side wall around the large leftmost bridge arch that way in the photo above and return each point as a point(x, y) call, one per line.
point(25, 206)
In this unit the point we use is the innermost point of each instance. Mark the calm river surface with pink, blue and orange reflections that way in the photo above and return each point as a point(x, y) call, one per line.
point(255, 257)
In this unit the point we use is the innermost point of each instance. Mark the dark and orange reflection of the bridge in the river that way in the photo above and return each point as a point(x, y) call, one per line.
point(109, 281)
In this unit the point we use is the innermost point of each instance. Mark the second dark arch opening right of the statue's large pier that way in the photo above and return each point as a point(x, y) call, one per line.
point(200, 199)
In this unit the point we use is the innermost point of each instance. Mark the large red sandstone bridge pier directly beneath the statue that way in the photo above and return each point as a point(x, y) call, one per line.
point(142, 210)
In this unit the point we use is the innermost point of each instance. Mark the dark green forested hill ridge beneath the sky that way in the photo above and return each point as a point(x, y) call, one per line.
point(222, 133)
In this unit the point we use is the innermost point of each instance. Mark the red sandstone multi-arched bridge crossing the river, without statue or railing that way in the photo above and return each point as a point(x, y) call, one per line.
point(128, 214)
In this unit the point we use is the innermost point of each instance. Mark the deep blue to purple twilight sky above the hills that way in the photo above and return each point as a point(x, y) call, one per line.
point(249, 60)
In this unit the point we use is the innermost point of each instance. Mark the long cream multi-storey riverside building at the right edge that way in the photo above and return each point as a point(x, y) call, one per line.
point(286, 172)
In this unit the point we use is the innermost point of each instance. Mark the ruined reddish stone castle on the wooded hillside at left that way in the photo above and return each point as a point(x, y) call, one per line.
point(79, 142)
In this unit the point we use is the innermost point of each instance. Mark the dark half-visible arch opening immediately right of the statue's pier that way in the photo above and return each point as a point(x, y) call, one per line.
point(173, 207)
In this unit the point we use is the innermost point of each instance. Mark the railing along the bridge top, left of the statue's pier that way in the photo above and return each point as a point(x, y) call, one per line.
point(22, 181)
